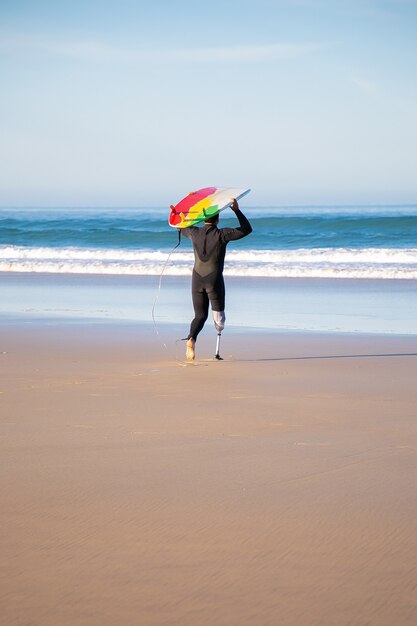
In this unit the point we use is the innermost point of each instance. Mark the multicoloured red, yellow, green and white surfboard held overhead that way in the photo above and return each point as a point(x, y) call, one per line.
point(201, 204)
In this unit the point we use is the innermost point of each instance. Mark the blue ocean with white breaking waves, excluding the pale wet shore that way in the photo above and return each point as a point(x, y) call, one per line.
point(361, 242)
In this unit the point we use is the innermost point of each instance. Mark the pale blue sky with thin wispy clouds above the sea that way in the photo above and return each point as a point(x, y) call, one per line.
point(136, 103)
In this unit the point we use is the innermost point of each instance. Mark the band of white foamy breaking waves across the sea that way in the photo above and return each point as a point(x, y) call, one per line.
point(380, 263)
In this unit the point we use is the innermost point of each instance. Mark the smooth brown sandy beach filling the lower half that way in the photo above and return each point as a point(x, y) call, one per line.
point(275, 488)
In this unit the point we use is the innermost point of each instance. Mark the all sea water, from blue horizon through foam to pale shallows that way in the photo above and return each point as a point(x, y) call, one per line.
point(344, 269)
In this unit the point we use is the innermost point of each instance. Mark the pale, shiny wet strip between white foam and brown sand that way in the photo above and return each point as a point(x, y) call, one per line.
point(294, 304)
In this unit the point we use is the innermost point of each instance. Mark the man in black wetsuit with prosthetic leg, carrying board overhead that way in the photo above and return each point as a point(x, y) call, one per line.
point(209, 244)
